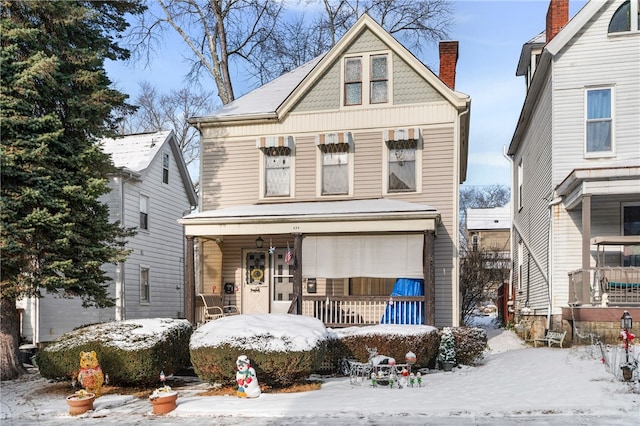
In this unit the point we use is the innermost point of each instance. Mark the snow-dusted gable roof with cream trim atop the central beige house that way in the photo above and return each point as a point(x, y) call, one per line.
point(275, 99)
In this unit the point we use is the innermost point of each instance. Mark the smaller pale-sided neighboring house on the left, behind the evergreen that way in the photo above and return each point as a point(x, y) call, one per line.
point(151, 192)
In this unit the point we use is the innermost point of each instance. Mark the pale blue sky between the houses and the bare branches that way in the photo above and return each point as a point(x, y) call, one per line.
point(490, 35)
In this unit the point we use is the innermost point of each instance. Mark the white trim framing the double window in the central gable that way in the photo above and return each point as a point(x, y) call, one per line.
point(366, 80)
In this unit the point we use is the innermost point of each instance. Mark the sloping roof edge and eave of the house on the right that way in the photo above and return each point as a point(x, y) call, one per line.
point(551, 49)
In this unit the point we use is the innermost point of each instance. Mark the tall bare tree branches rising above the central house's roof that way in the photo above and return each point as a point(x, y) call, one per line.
point(266, 40)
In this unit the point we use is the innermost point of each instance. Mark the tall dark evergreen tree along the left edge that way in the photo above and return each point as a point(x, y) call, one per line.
point(55, 104)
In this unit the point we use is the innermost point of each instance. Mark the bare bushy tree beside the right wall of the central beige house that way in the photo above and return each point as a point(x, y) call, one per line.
point(482, 271)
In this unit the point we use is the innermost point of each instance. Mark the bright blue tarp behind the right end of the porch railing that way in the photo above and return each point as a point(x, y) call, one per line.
point(405, 312)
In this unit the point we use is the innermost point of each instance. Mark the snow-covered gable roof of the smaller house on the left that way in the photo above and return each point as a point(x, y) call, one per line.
point(135, 153)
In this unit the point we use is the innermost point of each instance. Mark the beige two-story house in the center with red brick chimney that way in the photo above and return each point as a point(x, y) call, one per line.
point(324, 187)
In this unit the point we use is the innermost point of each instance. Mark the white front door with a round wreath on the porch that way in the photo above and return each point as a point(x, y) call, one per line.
point(255, 283)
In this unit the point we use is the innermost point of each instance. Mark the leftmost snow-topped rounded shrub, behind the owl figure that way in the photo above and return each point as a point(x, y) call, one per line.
point(131, 352)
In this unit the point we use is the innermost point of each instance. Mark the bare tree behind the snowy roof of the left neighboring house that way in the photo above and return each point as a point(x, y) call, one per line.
point(170, 111)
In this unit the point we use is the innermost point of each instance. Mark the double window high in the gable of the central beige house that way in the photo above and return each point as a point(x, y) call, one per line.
point(357, 89)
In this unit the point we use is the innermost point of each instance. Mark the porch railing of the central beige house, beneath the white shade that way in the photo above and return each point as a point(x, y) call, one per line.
point(346, 311)
